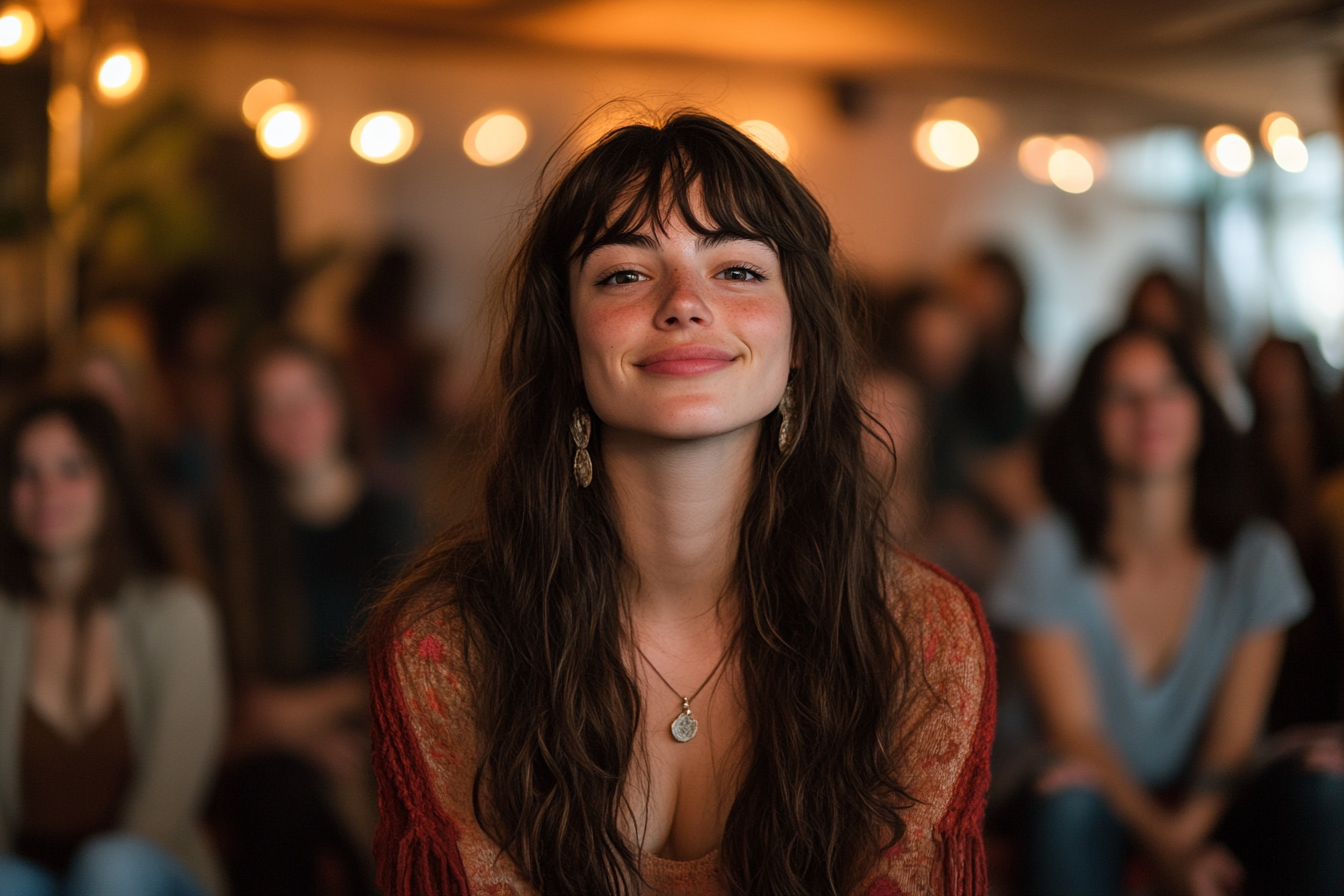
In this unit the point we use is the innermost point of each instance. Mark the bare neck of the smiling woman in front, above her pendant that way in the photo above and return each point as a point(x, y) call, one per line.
point(679, 507)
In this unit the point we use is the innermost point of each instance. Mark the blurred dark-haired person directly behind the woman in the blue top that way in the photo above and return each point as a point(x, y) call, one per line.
point(1162, 303)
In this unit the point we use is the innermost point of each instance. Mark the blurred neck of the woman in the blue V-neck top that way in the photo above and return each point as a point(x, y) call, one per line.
point(1150, 517)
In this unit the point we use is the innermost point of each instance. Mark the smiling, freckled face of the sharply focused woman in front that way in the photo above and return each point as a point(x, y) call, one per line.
point(682, 337)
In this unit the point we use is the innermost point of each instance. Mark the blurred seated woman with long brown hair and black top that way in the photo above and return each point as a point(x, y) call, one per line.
point(302, 541)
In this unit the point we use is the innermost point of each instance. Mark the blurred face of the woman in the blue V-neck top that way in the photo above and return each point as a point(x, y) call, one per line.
point(1150, 417)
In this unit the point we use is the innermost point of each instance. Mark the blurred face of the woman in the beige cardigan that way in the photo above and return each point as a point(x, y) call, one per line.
point(57, 496)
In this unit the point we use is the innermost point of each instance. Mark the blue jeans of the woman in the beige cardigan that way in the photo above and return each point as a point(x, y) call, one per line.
point(108, 866)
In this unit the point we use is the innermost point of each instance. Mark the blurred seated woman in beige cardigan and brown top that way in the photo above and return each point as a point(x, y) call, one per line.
point(112, 682)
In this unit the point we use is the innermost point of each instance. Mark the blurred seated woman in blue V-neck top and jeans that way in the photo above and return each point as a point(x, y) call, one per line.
point(1150, 615)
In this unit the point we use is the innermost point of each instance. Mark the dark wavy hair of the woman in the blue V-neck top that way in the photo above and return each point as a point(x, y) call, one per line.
point(1077, 475)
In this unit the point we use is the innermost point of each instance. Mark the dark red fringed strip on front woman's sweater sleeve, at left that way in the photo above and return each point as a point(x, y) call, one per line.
point(416, 844)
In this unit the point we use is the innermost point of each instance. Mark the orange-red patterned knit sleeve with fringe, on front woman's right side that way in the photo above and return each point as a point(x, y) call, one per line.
point(951, 729)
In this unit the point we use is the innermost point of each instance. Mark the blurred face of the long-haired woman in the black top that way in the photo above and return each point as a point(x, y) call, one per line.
point(298, 417)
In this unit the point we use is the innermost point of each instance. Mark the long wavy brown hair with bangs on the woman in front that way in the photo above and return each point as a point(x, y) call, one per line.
point(537, 582)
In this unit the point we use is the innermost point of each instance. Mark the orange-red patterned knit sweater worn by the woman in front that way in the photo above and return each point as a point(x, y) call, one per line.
point(425, 754)
